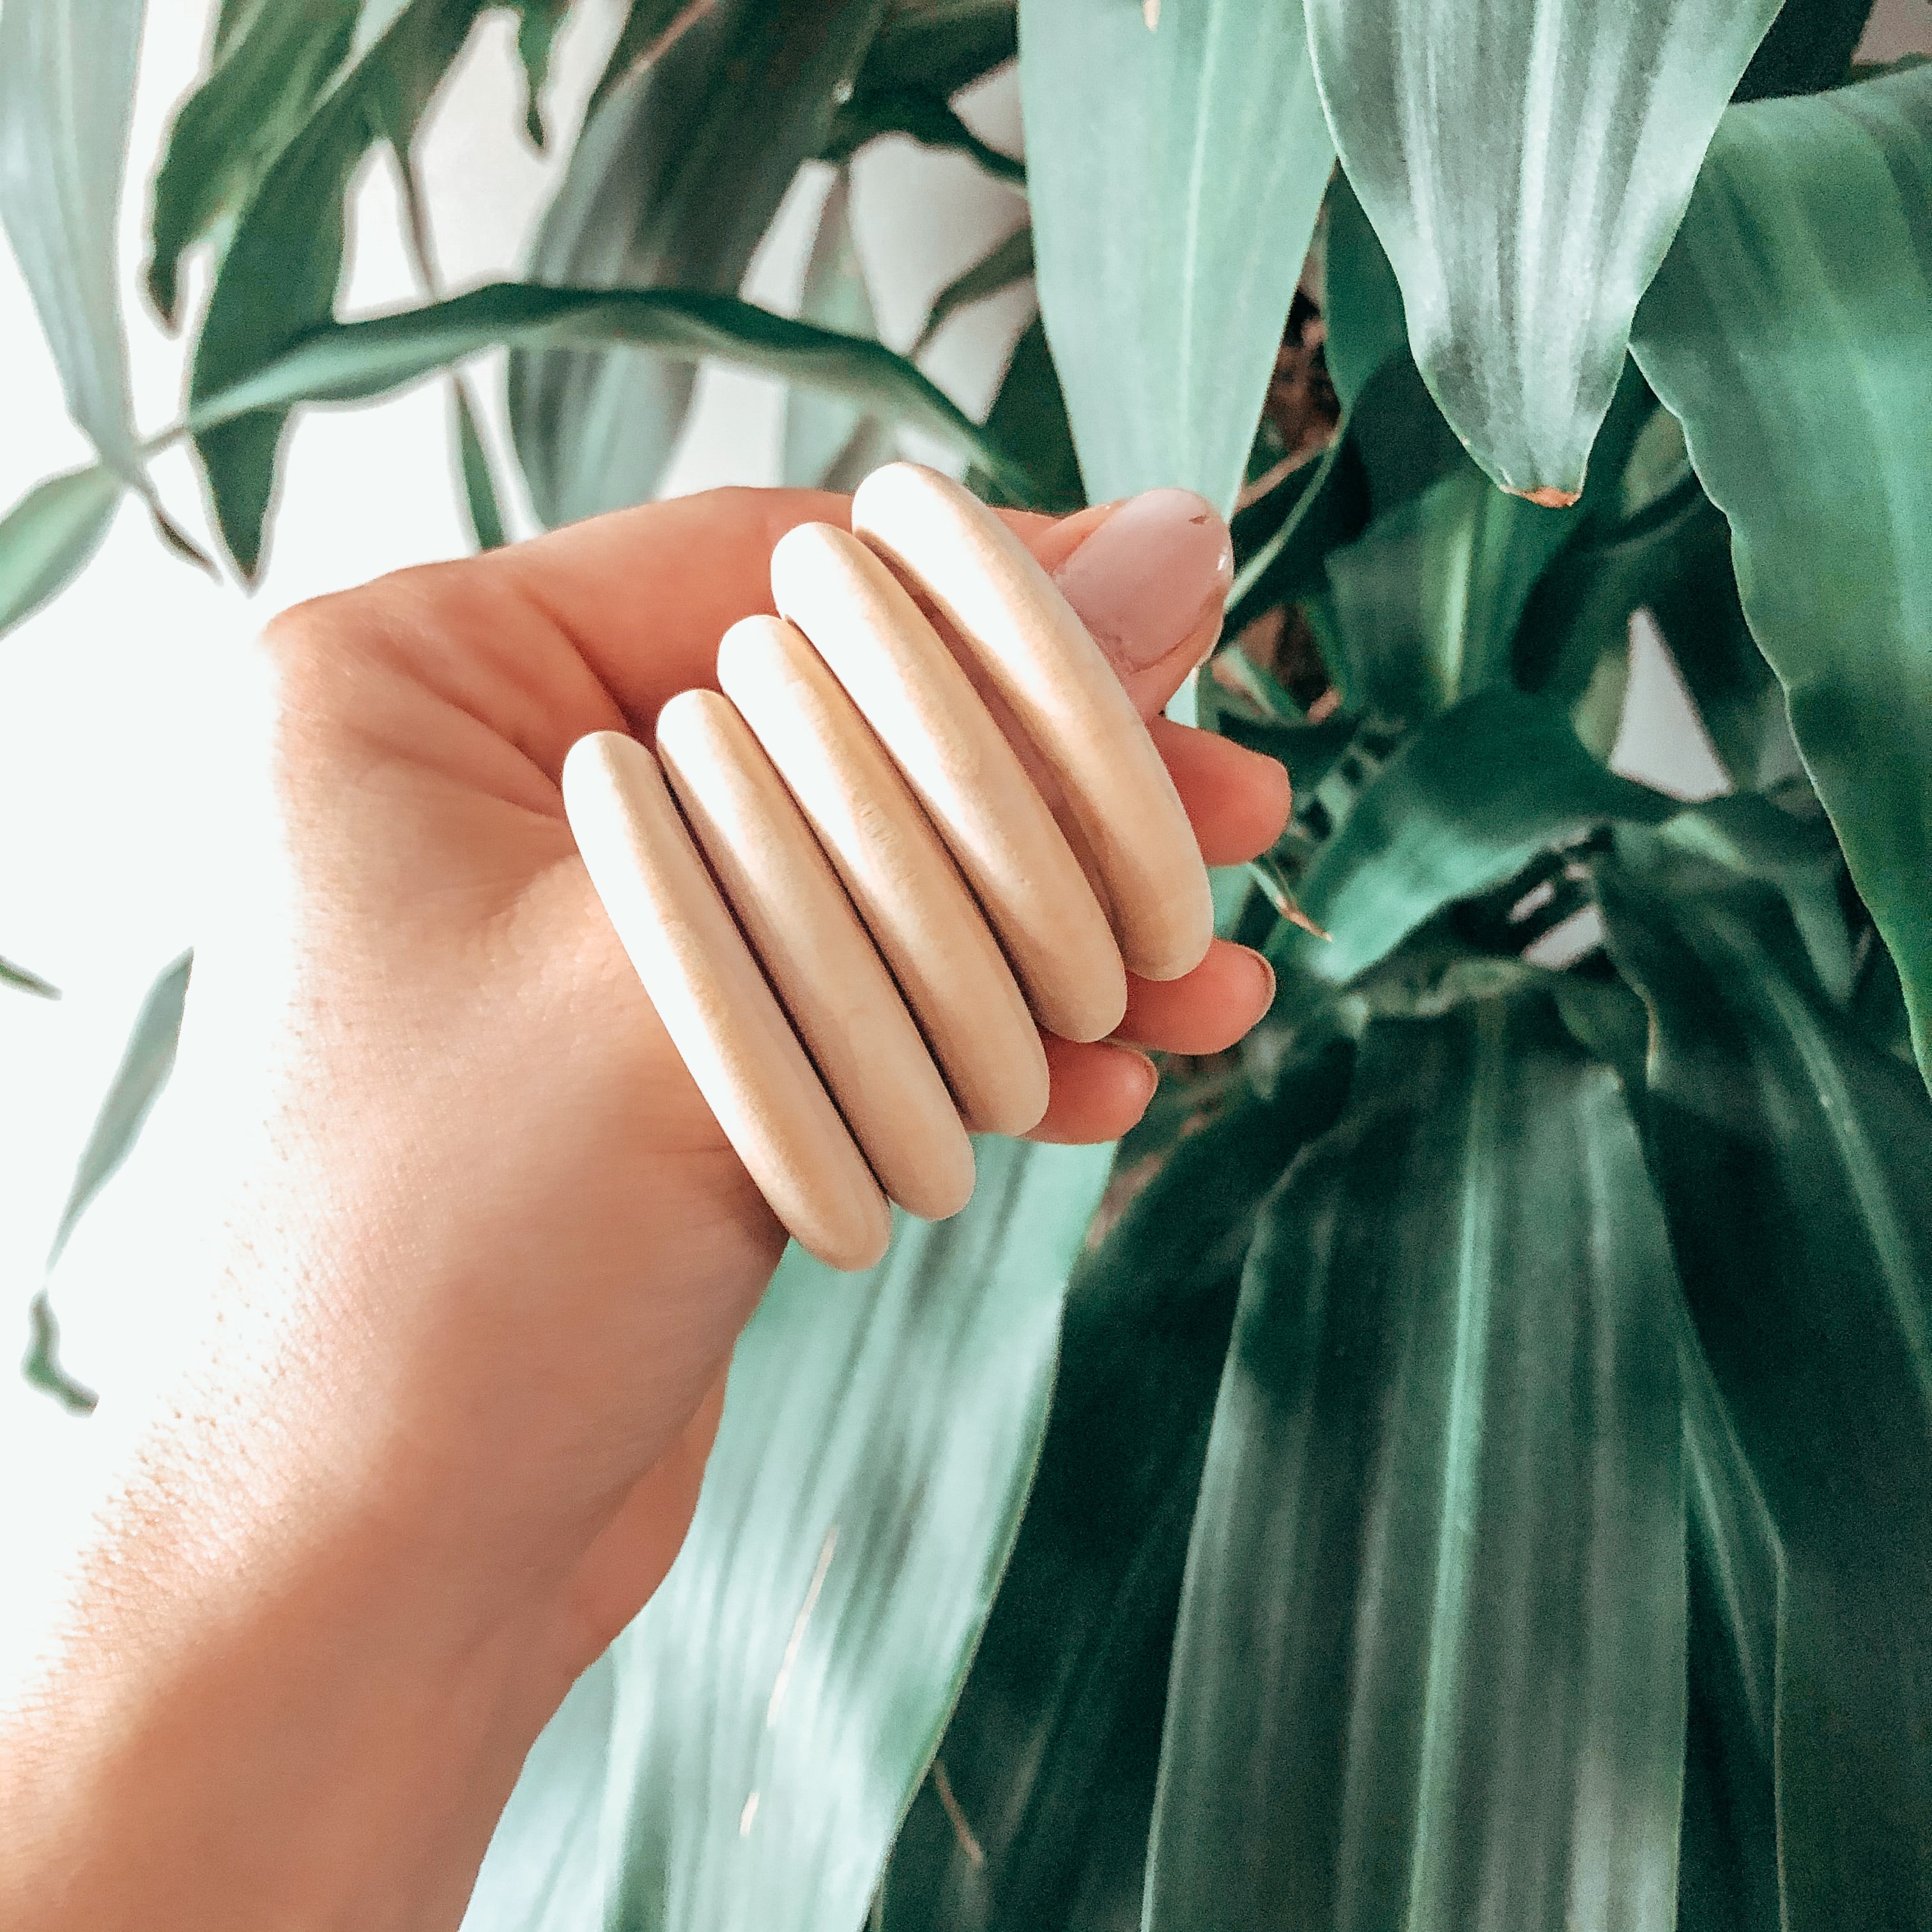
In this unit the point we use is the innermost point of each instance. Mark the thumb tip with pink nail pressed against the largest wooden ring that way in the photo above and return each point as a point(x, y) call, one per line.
point(1149, 579)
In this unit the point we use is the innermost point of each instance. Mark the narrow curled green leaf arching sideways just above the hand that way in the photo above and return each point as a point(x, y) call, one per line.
point(351, 362)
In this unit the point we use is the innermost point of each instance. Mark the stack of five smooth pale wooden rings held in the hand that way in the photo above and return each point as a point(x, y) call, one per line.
point(853, 909)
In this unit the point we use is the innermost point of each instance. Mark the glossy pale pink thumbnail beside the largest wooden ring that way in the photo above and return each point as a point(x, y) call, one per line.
point(1151, 575)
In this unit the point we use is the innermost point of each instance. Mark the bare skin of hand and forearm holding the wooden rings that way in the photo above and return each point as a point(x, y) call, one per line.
point(484, 1251)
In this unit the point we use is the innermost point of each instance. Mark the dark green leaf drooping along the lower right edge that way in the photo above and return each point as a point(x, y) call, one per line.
point(1796, 1166)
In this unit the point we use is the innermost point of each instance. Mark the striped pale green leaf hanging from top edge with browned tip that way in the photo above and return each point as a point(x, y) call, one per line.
point(1527, 219)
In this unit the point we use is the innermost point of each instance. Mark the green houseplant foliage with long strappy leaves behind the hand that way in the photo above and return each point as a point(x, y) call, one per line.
point(1475, 1469)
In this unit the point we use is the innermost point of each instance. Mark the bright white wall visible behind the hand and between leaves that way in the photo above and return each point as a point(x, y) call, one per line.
point(109, 696)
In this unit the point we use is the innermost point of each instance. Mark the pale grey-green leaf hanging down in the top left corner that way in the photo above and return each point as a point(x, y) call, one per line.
point(67, 96)
